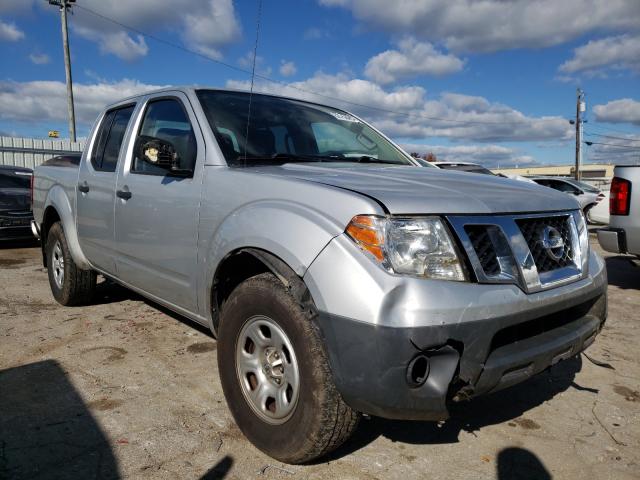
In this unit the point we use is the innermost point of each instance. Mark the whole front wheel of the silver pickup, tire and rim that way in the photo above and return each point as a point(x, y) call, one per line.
point(275, 374)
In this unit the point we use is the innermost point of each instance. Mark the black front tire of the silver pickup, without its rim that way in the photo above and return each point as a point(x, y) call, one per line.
point(320, 421)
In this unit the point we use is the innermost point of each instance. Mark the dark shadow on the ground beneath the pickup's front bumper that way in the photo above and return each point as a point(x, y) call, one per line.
point(500, 407)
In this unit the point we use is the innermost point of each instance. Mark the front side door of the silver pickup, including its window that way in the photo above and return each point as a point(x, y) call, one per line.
point(157, 214)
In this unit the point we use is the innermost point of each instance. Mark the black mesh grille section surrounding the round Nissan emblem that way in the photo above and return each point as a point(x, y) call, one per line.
point(533, 230)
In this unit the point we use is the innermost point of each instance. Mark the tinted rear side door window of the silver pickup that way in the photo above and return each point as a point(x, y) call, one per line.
point(109, 139)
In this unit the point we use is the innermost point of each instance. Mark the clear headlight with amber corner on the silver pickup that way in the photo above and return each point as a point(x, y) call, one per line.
point(418, 246)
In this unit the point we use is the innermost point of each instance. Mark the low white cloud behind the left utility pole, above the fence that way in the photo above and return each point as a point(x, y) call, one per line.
point(38, 101)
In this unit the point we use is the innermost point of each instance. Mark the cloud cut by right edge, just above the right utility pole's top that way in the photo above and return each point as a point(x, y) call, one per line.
point(618, 52)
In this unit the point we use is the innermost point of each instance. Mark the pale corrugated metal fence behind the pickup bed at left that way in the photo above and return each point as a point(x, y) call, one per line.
point(31, 152)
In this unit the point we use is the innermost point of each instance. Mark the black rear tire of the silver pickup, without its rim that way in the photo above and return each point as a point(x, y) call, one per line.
point(77, 285)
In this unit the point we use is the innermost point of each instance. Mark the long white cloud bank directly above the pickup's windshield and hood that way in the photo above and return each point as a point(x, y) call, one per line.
point(454, 116)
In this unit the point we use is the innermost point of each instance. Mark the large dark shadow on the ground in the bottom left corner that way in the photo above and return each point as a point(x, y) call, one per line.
point(46, 430)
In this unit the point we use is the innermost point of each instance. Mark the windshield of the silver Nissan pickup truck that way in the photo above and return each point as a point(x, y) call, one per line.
point(283, 130)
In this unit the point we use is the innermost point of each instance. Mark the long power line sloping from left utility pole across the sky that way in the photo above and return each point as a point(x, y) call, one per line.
point(288, 85)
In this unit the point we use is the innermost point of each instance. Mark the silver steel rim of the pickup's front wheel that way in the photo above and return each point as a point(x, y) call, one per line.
point(267, 370)
